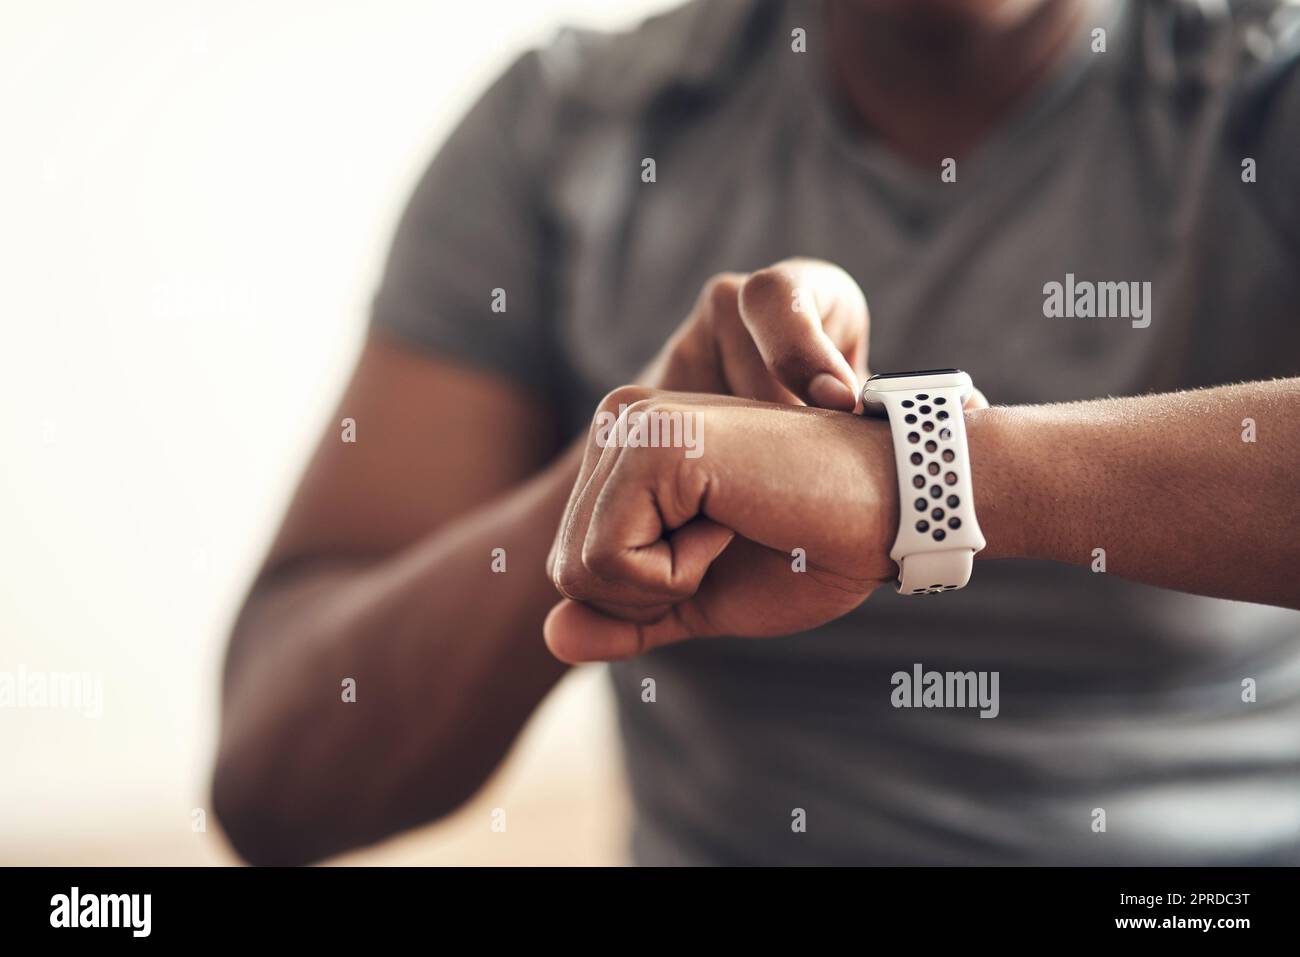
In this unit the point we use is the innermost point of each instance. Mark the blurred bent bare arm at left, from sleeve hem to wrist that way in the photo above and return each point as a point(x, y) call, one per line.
point(383, 574)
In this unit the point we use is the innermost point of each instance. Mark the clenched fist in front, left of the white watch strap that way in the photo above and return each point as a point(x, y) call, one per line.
point(658, 547)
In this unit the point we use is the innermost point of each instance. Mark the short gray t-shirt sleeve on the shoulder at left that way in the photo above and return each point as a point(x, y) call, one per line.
point(467, 274)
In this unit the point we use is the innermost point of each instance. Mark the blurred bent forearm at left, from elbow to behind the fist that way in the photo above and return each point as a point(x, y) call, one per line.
point(448, 662)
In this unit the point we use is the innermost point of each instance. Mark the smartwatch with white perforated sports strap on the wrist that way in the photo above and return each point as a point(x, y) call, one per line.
point(938, 534)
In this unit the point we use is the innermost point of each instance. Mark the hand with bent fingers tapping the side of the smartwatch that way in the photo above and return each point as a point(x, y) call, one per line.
point(792, 334)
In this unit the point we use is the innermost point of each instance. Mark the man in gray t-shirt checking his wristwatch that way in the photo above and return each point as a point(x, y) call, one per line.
point(968, 163)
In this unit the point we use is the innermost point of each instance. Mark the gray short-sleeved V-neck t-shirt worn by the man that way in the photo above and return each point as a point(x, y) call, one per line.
point(1128, 166)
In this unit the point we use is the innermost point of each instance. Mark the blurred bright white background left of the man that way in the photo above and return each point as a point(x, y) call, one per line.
point(196, 202)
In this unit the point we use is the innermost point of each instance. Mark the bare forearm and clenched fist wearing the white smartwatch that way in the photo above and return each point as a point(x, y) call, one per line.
point(657, 547)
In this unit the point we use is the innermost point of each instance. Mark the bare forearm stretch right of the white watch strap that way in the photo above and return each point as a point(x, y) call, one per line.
point(1164, 484)
